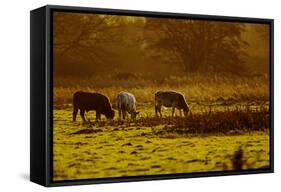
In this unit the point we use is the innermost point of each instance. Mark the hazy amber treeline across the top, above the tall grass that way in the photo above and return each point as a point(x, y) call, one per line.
point(89, 44)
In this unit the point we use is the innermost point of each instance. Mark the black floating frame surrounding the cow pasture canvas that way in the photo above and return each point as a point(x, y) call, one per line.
point(41, 94)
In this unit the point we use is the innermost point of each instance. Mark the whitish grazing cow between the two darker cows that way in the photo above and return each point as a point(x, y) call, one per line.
point(126, 102)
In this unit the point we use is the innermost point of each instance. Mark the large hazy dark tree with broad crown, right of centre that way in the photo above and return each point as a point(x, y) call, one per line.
point(199, 45)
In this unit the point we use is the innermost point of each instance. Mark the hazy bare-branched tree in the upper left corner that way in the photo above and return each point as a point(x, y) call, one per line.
point(81, 42)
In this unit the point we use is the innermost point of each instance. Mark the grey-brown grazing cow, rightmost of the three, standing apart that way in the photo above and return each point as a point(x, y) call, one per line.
point(170, 99)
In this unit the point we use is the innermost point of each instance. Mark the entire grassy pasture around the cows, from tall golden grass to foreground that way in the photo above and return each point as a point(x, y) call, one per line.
point(228, 129)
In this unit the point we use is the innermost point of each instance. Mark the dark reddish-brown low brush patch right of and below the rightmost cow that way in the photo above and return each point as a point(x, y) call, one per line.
point(219, 122)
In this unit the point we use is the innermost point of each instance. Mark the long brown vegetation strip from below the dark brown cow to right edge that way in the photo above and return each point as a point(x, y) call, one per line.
point(230, 122)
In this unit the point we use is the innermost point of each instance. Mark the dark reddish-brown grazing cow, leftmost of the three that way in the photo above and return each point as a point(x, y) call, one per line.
point(85, 101)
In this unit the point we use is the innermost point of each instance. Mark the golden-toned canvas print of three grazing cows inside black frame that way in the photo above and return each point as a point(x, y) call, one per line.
point(140, 96)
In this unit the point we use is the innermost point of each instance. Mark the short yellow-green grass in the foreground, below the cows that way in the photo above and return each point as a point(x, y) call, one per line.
point(150, 146)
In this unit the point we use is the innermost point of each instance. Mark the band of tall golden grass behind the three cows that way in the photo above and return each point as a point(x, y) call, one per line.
point(196, 88)
